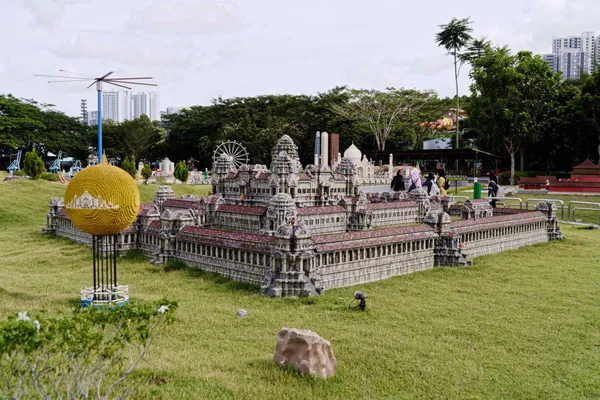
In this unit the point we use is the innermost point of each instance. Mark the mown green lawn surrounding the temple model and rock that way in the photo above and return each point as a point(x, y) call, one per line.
point(521, 325)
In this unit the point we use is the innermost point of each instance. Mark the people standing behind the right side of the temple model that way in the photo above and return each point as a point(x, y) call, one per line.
point(439, 186)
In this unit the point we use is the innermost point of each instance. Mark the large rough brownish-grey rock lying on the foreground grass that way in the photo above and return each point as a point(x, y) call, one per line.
point(305, 351)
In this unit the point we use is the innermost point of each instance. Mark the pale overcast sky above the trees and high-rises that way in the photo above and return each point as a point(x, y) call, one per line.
point(200, 49)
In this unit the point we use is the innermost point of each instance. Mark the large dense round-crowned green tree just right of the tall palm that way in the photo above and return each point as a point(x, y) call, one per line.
point(513, 96)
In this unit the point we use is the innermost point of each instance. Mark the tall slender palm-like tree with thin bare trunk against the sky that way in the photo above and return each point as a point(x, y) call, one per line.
point(453, 37)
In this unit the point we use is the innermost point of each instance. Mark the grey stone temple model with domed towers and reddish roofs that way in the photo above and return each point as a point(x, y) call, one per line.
point(300, 232)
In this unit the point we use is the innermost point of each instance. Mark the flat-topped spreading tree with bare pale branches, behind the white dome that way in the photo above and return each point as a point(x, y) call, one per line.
point(382, 112)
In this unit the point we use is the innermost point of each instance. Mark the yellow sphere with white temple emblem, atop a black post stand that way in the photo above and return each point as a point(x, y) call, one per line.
point(102, 199)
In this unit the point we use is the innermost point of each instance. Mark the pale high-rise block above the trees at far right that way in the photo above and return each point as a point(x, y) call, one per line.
point(574, 55)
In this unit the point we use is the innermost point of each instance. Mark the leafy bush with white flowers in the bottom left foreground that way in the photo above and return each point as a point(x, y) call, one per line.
point(89, 353)
